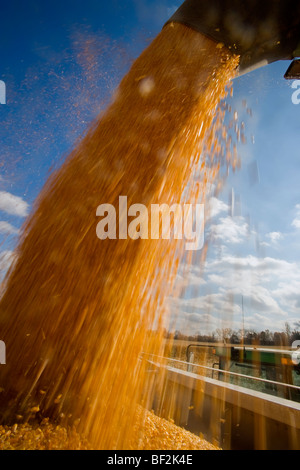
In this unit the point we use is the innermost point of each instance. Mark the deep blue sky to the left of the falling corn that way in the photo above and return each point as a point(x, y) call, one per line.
point(53, 92)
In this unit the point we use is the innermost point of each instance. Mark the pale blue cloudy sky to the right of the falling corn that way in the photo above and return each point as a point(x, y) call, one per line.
point(253, 258)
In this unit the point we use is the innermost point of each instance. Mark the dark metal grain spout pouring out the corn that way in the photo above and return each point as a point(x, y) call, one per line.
point(260, 32)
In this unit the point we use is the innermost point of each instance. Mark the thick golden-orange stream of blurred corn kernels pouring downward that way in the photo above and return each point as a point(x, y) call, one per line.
point(77, 312)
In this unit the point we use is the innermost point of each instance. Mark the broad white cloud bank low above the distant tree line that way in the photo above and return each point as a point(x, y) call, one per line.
point(269, 287)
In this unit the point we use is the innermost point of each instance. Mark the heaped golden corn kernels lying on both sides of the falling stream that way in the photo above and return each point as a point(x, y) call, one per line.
point(157, 434)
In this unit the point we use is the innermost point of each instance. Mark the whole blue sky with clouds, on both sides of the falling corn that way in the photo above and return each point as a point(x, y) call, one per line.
point(61, 62)
